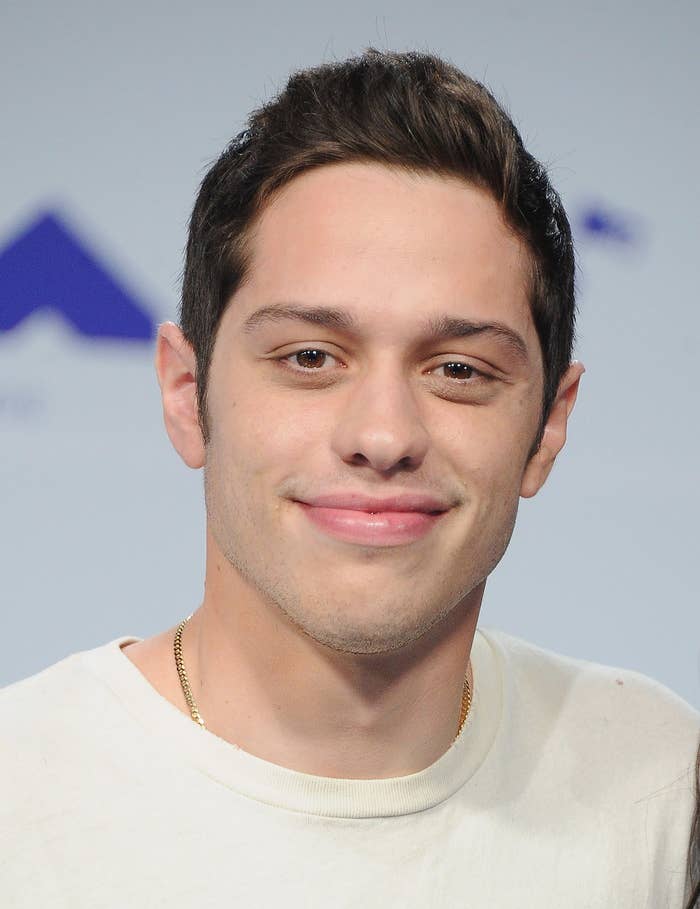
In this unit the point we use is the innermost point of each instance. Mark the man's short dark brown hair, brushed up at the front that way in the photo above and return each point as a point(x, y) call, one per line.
point(408, 110)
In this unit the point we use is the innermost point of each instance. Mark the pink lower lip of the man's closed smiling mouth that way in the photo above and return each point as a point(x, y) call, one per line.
point(385, 528)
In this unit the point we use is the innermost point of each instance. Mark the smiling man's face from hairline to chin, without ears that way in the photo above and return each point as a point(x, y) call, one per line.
point(388, 396)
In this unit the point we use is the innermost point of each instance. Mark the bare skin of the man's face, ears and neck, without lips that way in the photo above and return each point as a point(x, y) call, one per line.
point(322, 655)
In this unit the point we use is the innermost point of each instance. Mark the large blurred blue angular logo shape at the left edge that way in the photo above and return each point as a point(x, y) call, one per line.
point(49, 267)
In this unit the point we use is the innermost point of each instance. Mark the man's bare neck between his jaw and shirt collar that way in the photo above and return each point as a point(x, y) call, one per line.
point(263, 684)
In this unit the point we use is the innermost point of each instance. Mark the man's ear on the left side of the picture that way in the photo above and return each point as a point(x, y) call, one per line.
point(176, 367)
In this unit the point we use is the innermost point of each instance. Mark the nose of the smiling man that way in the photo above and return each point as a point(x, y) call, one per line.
point(380, 424)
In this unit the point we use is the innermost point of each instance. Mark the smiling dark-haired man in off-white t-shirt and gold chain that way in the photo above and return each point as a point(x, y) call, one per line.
point(373, 365)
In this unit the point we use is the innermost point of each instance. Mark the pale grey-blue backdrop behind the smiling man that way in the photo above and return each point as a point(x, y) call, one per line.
point(110, 118)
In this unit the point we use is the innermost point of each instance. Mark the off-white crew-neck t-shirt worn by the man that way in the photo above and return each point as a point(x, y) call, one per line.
point(570, 786)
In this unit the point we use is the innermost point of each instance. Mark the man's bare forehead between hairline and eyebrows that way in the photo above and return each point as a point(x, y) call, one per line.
point(393, 248)
